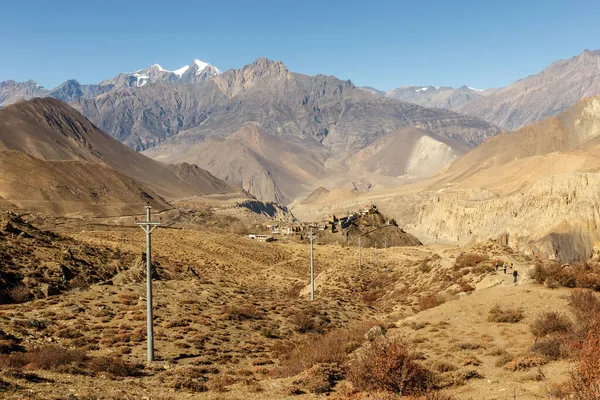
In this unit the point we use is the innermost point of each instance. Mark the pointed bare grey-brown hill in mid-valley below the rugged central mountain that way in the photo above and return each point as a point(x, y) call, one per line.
point(266, 166)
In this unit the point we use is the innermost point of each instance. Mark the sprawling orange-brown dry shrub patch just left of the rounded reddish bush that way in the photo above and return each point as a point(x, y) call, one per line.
point(331, 348)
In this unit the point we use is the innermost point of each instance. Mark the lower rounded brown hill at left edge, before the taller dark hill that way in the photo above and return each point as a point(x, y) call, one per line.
point(71, 187)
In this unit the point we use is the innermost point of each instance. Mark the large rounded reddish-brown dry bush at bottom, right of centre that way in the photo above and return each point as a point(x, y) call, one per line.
point(389, 365)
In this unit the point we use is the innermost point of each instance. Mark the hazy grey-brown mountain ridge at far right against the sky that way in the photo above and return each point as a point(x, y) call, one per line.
point(523, 102)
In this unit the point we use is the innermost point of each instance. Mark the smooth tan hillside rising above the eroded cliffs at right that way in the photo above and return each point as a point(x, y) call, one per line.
point(513, 161)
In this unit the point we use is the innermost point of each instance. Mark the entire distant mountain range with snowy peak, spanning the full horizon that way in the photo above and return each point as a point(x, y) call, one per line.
point(280, 134)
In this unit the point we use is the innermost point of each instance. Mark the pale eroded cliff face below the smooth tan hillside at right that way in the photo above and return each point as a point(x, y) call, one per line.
point(557, 218)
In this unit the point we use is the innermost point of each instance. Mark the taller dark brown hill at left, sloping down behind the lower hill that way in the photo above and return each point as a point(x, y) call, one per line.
point(50, 130)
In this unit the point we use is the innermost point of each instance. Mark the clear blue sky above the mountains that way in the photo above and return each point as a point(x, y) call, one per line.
point(384, 44)
